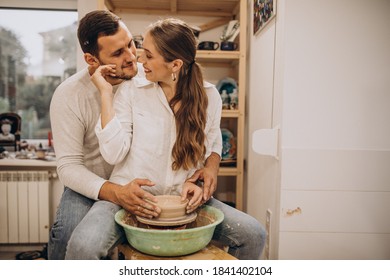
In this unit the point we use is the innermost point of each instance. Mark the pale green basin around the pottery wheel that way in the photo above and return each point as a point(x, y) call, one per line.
point(171, 242)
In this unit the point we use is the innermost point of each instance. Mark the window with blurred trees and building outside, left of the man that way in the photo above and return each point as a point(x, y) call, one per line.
point(37, 52)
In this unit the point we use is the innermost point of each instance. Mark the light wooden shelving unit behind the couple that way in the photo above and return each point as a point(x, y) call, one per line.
point(224, 10)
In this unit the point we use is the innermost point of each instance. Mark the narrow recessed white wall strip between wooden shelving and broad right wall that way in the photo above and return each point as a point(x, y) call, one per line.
point(263, 172)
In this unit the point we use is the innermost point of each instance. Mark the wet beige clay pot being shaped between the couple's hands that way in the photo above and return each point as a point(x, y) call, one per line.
point(171, 206)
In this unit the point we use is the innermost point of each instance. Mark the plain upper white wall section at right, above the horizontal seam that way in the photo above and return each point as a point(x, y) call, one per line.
point(338, 64)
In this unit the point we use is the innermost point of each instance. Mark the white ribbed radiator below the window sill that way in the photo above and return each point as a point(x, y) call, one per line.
point(24, 206)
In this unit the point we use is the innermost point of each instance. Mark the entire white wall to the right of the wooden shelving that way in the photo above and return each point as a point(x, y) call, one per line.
point(331, 93)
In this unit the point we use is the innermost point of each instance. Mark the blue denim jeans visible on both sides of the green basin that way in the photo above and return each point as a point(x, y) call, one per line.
point(86, 229)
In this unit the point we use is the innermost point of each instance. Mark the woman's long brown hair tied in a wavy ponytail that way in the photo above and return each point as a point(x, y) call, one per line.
point(174, 39)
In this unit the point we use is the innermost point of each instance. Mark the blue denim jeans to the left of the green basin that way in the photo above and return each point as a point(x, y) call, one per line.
point(84, 229)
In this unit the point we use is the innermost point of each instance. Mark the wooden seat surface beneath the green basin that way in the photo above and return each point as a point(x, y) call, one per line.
point(210, 252)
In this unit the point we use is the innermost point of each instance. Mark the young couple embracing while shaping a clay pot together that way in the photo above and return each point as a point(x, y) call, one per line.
point(123, 135)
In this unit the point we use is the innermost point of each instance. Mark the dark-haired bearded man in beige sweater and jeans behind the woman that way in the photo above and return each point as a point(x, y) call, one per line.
point(85, 226)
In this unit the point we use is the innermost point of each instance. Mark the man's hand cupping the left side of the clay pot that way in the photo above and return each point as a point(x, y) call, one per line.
point(132, 197)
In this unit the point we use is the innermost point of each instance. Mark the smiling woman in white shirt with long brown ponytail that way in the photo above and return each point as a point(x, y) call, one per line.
point(165, 127)
